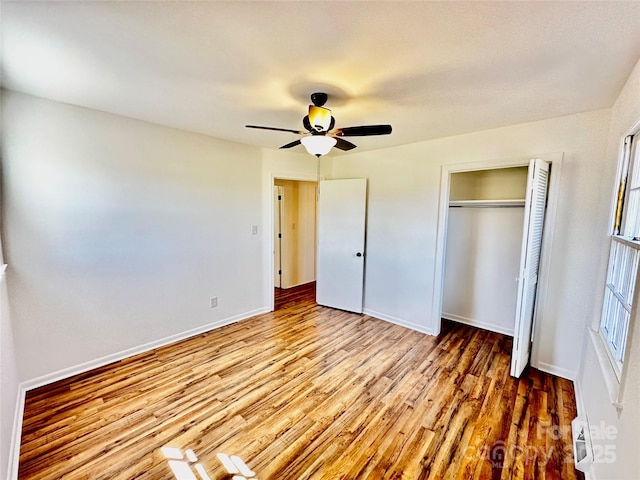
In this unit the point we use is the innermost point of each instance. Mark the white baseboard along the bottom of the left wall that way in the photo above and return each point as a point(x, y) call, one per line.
point(24, 387)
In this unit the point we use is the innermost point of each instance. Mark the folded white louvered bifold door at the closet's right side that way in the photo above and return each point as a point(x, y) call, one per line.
point(529, 262)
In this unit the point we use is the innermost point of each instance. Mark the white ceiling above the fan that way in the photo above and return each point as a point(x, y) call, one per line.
point(431, 69)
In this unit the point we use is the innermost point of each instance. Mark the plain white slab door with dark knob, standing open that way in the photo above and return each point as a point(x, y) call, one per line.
point(341, 234)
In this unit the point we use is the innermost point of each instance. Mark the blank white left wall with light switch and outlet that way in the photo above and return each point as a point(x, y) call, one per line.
point(118, 232)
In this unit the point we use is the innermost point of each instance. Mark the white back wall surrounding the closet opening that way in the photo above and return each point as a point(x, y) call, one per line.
point(404, 190)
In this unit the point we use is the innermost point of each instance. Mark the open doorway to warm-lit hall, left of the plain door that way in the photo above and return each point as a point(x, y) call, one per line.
point(295, 237)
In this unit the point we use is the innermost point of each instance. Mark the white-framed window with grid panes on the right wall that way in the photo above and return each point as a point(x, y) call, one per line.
point(624, 257)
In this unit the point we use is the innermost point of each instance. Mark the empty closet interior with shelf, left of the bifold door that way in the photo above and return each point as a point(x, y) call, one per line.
point(483, 247)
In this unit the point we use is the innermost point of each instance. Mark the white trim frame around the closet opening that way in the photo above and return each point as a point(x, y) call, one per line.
point(556, 160)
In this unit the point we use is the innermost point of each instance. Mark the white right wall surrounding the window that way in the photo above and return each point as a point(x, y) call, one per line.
point(590, 382)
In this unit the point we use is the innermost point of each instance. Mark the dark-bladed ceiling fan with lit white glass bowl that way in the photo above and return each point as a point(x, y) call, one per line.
point(321, 136)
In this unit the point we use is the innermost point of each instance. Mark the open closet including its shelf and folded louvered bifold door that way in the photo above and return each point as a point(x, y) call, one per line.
point(492, 235)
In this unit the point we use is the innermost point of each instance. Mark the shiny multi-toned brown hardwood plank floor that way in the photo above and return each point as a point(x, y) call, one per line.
point(306, 392)
